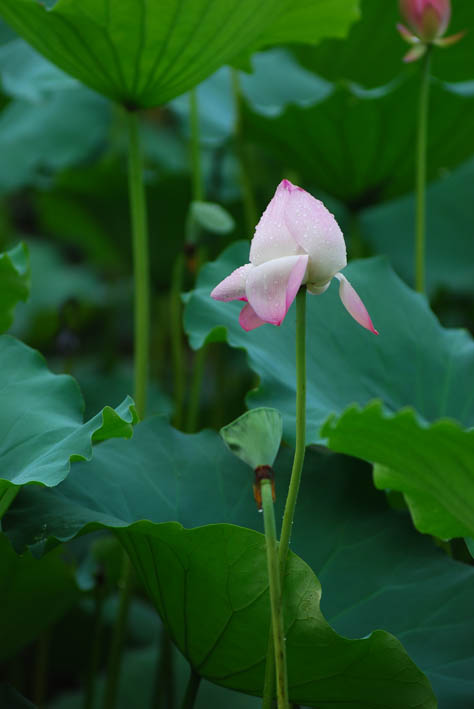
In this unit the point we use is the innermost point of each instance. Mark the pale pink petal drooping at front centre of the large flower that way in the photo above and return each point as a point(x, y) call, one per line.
point(272, 287)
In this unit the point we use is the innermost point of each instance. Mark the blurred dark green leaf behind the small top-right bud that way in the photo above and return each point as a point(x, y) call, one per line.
point(372, 53)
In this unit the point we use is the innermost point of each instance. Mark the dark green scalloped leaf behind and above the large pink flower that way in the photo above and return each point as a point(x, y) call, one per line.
point(322, 142)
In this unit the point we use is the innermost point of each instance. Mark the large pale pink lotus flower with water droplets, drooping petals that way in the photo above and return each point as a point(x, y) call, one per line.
point(297, 241)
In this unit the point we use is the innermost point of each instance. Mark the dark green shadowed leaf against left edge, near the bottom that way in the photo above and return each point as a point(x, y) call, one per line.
point(35, 593)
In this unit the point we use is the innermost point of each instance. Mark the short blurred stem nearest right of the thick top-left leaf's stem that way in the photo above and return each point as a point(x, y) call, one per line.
point(177, 346)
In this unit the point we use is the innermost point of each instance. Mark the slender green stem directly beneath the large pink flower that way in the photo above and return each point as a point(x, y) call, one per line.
point(300, 429)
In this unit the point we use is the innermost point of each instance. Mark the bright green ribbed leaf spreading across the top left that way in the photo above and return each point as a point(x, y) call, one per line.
point(144, 54)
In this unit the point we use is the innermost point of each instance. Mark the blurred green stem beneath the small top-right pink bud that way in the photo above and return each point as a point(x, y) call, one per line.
point(420, 229)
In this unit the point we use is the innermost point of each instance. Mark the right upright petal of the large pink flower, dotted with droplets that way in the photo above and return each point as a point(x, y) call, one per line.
point(316, 231)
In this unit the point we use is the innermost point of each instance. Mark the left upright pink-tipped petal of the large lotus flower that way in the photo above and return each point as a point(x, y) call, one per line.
point(272, 239)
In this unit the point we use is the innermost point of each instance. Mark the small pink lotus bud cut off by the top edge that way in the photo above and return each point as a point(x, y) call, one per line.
point(428, 20)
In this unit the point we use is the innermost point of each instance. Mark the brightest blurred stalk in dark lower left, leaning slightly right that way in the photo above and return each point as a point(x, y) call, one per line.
point(118, 636)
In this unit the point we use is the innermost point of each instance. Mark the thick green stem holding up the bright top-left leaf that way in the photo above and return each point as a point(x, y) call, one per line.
point(140, 263)
